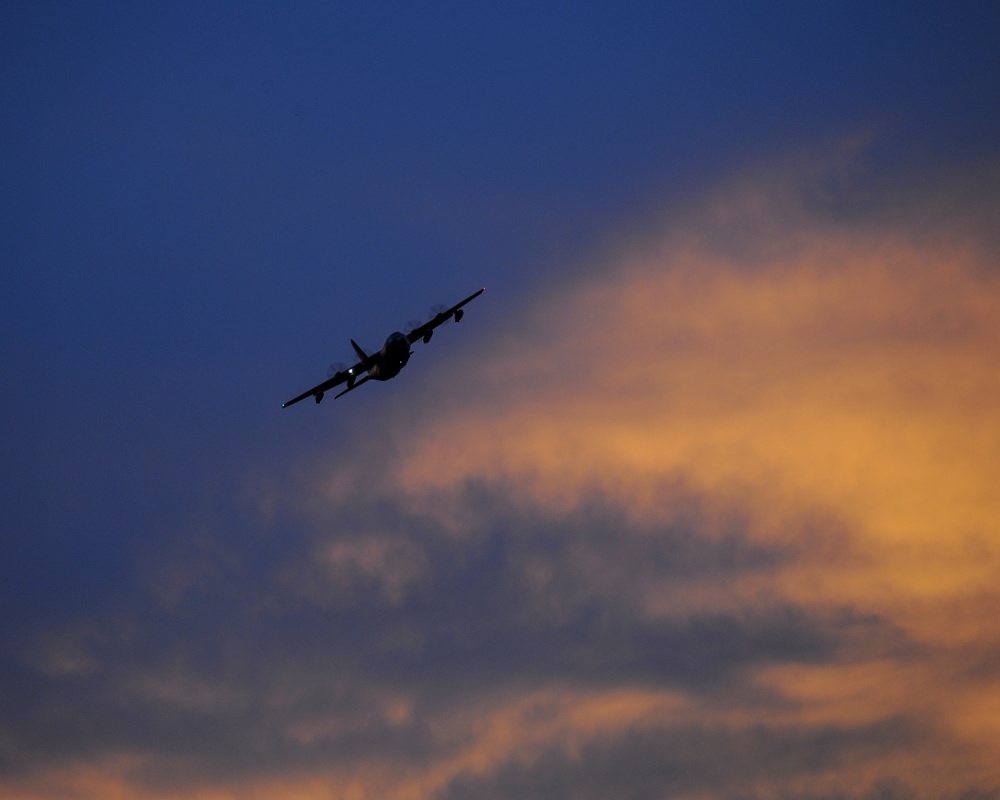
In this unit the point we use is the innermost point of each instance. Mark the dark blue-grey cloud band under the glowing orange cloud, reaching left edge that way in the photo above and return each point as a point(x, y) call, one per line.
point(270, 667)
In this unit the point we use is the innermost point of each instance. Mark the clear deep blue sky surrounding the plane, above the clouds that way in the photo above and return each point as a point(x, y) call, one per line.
point(200, 204)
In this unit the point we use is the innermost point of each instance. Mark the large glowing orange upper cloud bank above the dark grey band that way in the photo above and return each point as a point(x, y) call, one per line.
point(854, 371)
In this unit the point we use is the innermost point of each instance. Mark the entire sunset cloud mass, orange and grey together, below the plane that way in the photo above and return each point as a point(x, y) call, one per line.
point(719, 520)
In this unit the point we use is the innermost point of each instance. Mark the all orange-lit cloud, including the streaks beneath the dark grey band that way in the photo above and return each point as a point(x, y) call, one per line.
point(835, 385)
